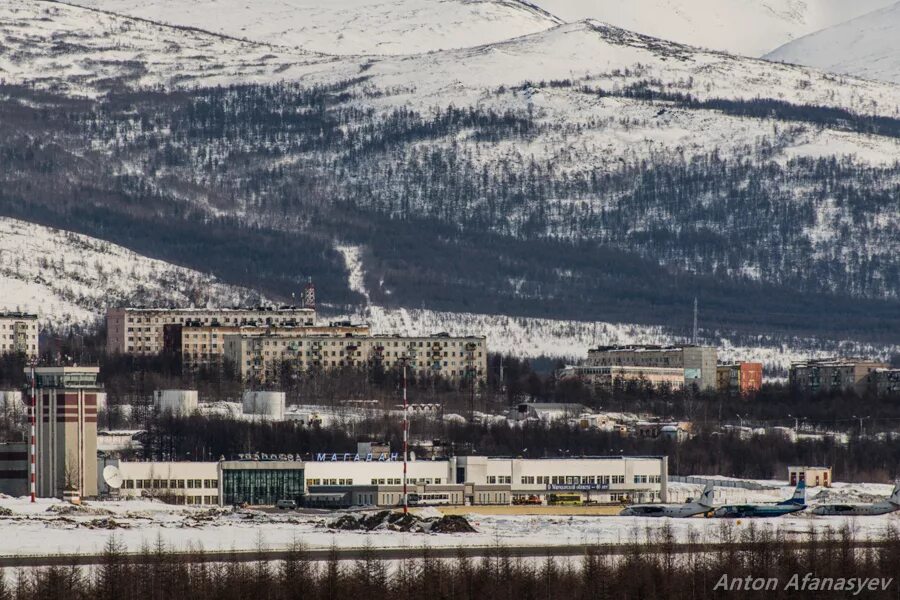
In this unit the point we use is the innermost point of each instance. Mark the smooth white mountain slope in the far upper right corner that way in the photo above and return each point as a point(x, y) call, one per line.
point(867, 47)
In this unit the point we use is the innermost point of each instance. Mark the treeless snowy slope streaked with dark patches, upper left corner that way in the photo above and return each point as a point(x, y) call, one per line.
point(79, 51)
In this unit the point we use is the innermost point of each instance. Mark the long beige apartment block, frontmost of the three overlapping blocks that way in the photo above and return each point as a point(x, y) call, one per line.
point(257, 358)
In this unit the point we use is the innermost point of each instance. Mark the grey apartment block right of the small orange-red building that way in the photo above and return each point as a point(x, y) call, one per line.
point(833, 374)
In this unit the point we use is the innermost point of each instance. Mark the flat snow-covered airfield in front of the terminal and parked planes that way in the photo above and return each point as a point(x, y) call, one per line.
point(52, 527)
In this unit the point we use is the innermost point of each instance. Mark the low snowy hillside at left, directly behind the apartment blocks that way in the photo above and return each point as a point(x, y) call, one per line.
point(68, 278)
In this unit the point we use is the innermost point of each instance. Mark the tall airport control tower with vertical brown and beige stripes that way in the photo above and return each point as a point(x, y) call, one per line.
point(66, 431)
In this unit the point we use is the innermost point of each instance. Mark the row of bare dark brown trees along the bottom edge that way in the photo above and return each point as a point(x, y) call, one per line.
point(654, 564)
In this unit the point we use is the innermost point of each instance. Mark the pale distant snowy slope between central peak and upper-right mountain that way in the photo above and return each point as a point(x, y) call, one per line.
point(747, 27)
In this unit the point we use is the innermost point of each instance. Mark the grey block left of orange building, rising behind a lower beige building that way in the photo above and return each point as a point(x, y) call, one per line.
point(698, 362)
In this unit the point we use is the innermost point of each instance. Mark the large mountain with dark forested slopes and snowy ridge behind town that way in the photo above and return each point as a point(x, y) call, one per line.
point(658, 160)
